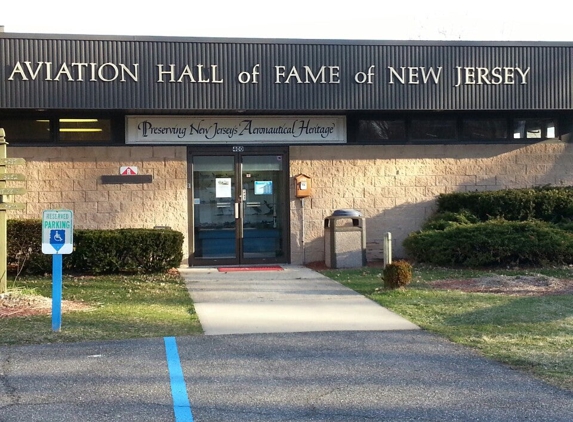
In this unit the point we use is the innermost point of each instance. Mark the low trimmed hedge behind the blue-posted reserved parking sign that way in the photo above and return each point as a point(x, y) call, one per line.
point(96, 251)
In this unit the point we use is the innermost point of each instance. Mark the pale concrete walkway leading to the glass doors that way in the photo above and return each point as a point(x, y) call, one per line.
point(297, 299)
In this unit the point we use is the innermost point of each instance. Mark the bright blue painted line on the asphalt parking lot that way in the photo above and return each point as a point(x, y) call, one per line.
point(181, 405)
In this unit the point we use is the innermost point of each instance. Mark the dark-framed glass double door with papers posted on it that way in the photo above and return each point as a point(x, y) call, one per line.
point(239, 207)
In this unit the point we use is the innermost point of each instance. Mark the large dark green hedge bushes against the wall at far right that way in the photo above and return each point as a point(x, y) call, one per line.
point(506, 227)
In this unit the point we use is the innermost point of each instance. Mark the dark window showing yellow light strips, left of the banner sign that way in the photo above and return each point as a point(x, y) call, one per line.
point(84, 130)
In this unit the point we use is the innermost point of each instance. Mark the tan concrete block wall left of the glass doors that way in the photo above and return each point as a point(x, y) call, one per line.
point(70, 178)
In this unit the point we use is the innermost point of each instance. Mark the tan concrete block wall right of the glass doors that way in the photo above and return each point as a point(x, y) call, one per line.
point(396, 187)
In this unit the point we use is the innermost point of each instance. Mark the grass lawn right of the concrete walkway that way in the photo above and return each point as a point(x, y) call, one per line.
point(532, 333)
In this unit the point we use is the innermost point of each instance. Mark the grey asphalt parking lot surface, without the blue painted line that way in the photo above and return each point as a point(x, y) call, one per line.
point(315, 376)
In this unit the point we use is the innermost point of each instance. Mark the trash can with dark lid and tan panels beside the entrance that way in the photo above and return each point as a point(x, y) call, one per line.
point(345, 239)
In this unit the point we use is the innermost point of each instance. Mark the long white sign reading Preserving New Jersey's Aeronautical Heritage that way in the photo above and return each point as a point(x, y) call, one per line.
point(235, 130)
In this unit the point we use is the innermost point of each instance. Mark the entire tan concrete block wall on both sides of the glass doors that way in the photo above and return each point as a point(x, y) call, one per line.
point(395, 187)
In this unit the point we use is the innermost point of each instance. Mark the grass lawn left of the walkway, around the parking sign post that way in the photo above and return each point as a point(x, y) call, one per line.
point(120, 307)
